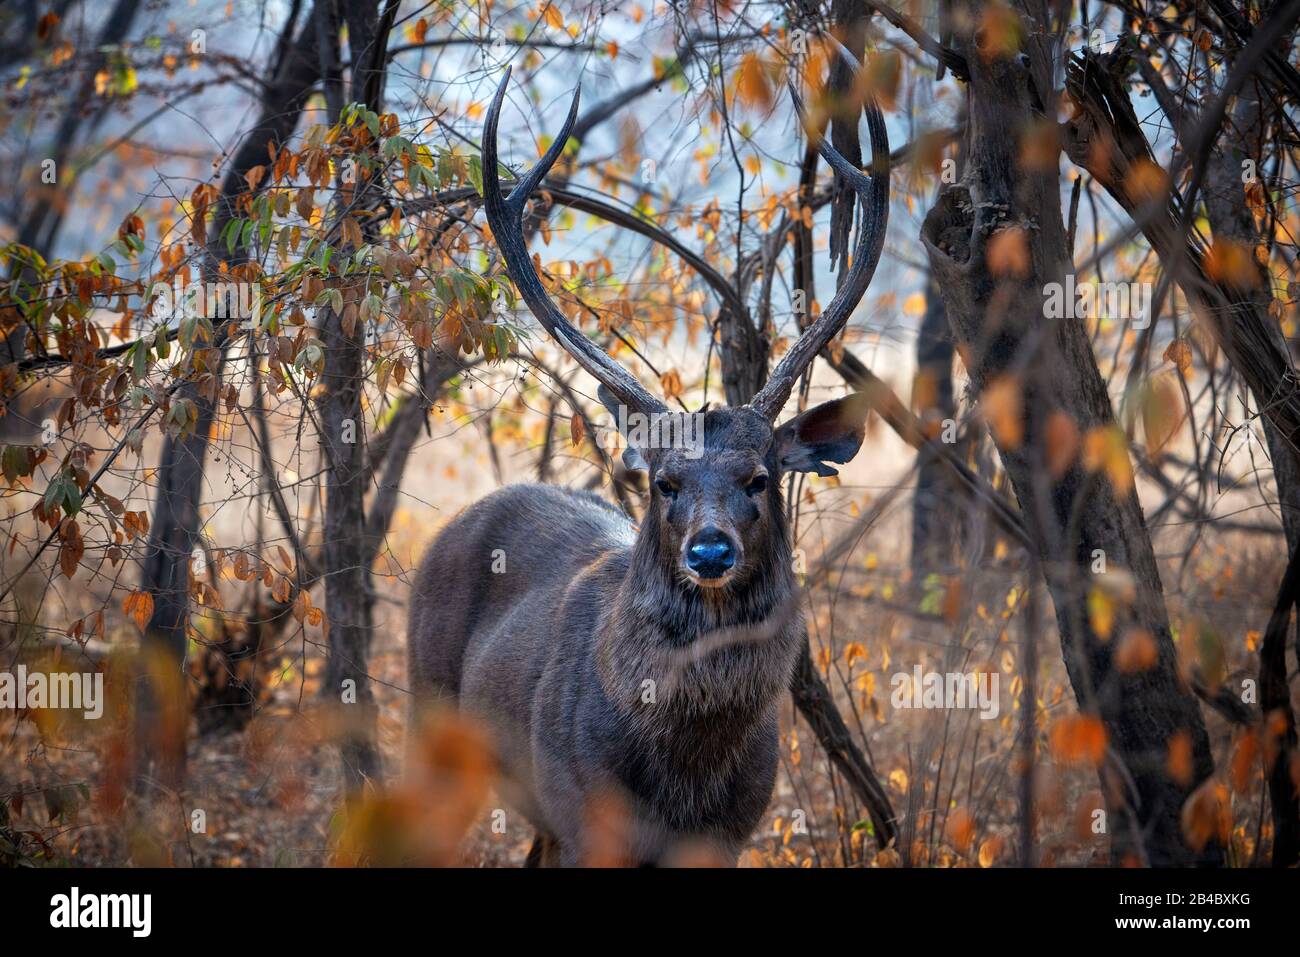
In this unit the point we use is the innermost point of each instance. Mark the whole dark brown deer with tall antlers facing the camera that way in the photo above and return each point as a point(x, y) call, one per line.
point(647, 664)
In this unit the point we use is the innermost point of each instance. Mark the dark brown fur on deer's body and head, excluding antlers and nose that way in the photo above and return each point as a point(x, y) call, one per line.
point(554, 653)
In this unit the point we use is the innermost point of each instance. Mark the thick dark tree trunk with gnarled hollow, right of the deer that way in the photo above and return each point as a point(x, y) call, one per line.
point(994, 243)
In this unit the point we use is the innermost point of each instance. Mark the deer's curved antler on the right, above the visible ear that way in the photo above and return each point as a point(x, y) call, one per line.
point(874, 196)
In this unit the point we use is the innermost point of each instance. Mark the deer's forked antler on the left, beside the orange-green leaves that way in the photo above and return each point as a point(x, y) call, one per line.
point(506, 218)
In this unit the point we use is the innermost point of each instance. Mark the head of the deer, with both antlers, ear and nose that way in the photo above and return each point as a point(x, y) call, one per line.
point(717, 510)
